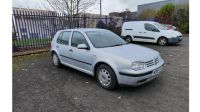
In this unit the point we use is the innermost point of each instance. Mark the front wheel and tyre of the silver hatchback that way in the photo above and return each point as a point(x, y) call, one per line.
point(106, 77)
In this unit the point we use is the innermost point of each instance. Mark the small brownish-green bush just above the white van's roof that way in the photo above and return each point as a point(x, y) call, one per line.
point(147, 13)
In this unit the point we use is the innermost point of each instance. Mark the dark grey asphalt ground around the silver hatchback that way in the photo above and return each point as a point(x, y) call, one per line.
point(40, 87)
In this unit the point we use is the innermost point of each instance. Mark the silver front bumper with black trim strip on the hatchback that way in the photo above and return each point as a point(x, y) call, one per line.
point(141, 78)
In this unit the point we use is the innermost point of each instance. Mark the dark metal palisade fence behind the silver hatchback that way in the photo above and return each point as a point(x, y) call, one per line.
point(34, 29)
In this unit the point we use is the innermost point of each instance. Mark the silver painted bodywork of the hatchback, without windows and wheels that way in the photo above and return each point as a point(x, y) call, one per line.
point(119, 58)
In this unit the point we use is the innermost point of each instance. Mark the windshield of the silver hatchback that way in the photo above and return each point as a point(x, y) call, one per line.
point(104, 38)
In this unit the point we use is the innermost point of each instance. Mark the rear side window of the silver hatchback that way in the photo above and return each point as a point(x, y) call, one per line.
point(64, 38)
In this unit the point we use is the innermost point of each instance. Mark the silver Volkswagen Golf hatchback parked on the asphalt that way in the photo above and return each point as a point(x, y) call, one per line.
point(104, 55)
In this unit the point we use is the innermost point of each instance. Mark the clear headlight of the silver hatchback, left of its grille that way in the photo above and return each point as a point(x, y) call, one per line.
point(138, 65)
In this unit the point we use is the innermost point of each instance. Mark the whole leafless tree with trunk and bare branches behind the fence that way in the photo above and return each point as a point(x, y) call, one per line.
point(71, 8)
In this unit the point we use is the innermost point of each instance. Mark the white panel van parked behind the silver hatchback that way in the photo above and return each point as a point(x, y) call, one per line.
point(148, 31)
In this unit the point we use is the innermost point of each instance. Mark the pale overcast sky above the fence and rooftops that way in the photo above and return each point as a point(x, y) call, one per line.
point(107, 5)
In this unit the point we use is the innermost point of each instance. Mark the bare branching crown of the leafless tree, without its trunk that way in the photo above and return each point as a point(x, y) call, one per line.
point(71, 7)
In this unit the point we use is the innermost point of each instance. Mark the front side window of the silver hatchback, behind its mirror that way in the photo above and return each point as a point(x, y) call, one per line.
point(77, 39)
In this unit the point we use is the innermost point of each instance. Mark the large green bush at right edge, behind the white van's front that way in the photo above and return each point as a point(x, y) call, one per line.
point(177, 15)
